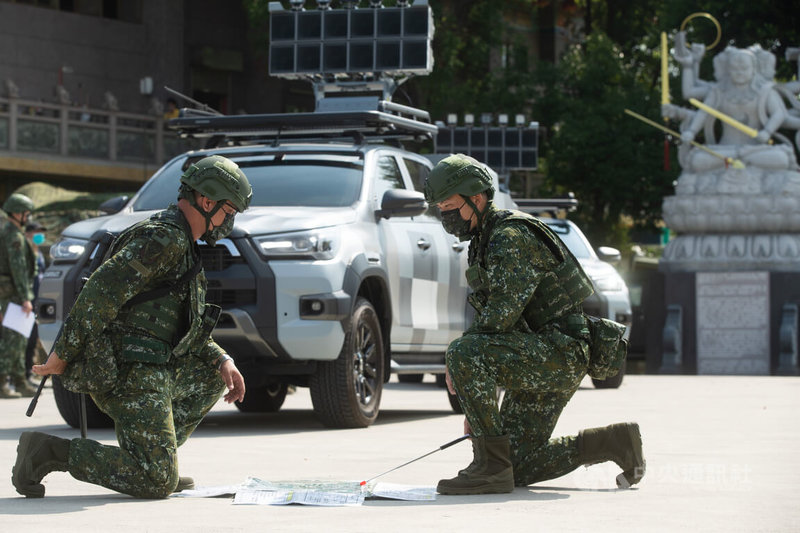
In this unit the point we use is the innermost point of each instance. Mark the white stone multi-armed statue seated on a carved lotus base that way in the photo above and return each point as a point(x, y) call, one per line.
point(739, 207)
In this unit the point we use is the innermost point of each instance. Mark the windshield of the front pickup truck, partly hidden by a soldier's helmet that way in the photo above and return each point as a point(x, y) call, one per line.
point(285, 182)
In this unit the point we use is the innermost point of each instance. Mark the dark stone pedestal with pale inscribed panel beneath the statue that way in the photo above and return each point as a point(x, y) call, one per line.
point(731, 323)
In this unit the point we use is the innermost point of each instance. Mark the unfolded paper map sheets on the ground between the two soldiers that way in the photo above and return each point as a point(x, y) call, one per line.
point(255, 491)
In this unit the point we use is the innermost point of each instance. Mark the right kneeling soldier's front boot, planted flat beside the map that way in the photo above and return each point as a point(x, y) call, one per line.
point(489, 473)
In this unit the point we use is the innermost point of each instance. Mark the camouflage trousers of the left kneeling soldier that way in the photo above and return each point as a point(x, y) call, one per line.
point(155, 408)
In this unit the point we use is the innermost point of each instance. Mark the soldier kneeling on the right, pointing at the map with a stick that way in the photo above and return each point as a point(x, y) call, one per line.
point(529, 337)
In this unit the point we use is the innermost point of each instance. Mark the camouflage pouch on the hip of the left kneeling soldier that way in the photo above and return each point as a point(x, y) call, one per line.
point(96, 371)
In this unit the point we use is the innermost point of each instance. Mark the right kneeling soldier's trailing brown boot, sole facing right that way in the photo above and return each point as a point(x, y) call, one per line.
point(621, 443)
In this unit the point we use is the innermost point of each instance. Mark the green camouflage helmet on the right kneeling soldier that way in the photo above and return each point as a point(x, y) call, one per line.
point(457, 174)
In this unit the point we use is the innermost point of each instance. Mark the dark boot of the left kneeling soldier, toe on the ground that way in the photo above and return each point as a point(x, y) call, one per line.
point(38, 454)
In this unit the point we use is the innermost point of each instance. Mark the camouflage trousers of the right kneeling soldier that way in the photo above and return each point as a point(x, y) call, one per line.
point(539, 373)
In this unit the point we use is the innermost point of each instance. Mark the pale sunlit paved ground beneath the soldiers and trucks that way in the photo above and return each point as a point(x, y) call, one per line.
point(722, 455)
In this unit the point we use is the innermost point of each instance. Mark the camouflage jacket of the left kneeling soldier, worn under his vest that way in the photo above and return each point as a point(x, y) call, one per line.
point(147, 256)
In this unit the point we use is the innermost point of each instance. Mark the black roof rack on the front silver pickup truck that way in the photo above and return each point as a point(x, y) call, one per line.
point(363, 118)
